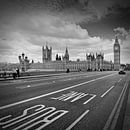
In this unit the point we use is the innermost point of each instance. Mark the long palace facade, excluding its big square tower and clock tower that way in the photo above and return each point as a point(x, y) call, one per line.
point(92, 62)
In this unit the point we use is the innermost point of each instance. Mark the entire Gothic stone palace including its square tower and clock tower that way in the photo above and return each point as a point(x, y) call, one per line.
point(93, 62)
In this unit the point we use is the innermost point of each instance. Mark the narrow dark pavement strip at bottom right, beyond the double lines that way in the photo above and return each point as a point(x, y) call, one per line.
point(126, 124)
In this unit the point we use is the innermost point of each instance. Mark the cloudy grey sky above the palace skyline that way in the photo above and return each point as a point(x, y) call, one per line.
point(83, 26)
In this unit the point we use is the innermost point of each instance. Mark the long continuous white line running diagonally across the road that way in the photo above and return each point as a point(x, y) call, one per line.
point(57, 91)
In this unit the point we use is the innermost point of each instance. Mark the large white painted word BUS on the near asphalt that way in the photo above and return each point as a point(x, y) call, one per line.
point(41, 116)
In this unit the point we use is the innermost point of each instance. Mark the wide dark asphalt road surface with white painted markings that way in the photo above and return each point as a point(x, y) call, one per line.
point(79, 101)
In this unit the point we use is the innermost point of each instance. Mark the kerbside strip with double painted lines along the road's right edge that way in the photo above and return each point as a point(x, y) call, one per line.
point(115, 120)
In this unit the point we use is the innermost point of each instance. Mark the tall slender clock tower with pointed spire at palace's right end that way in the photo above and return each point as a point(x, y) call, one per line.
point(116, 54)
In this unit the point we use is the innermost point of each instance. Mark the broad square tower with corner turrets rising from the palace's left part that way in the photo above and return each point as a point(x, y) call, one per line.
point(46, 54)
